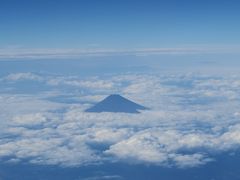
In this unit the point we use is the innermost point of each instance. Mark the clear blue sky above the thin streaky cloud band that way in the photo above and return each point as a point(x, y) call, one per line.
point(118, 23)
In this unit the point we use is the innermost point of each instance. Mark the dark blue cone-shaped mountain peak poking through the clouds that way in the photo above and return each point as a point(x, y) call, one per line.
point(116, 103)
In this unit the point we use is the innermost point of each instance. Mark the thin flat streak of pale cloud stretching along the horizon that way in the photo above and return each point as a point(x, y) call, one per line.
point(41, 53)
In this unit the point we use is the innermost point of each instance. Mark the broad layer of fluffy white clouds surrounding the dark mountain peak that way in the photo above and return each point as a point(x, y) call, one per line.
point(192, 117)
